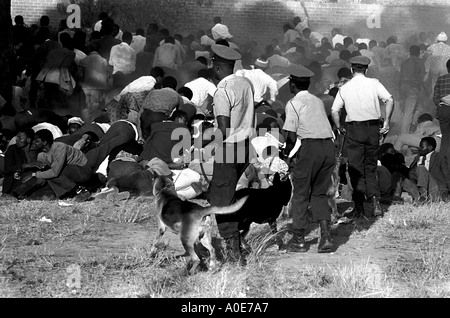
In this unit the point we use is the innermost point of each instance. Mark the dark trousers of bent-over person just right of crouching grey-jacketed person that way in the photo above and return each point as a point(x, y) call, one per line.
point(118, 134)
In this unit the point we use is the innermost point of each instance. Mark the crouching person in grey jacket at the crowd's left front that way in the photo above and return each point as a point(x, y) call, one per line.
point(63, 167)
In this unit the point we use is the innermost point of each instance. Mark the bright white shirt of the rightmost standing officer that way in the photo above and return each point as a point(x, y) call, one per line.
point(361, 97)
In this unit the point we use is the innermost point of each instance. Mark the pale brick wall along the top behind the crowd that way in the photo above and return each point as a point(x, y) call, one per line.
point(262, 20)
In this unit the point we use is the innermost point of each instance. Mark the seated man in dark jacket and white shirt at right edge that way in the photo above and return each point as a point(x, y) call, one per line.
point(430, 171)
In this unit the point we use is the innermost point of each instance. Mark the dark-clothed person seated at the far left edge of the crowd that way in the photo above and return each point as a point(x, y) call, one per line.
point(18, 158)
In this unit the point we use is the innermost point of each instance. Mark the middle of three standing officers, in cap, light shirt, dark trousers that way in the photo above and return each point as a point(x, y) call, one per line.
point(306, 119)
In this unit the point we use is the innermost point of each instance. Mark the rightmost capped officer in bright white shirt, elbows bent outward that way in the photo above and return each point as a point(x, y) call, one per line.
point(360, 96)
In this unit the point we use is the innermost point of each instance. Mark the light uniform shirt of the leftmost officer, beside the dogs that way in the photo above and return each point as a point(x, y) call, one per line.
point(234, 99)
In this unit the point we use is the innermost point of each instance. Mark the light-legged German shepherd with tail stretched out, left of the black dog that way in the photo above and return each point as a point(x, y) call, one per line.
point(188, 219)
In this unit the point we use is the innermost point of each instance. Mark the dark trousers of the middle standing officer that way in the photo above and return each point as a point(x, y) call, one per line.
point(311, 179)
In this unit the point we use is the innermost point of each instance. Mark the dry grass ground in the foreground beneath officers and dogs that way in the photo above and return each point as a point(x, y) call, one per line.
point(102, 249)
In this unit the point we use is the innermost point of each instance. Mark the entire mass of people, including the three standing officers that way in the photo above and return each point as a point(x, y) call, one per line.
point(110, 101)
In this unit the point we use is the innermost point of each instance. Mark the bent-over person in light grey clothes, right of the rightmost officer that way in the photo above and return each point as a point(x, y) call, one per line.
point(426, 127)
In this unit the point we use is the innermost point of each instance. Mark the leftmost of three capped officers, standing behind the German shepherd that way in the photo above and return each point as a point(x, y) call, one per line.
point(234, 122)
